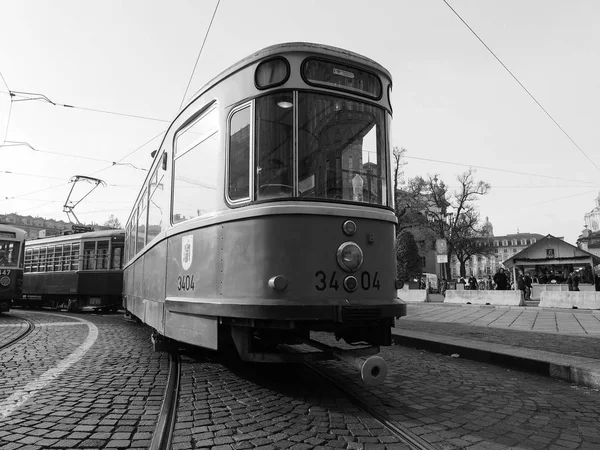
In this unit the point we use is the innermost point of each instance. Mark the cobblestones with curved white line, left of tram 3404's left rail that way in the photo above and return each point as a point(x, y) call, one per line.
point(108, 398)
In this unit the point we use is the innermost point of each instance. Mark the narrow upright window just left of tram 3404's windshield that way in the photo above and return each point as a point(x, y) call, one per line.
point(239, 155)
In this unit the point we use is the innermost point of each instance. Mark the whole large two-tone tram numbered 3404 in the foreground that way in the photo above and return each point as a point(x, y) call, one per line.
point(268, 212)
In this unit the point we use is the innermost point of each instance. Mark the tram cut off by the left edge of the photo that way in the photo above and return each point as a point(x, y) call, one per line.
point(12, 242)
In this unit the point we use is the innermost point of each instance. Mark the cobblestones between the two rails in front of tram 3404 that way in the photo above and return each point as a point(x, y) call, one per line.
point(228, 406)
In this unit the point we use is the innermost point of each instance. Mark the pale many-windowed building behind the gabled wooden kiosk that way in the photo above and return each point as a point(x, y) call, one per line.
point(503, 248)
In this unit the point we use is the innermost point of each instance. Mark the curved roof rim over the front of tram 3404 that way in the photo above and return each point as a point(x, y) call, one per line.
point(321, 49)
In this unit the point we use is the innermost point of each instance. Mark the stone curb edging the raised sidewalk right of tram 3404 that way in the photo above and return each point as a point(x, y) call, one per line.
point(578, 370)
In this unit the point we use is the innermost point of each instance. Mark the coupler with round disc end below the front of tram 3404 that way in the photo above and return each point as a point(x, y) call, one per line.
point(372, 368)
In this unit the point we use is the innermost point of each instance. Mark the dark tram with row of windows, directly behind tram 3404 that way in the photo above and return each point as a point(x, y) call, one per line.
point(82, 271)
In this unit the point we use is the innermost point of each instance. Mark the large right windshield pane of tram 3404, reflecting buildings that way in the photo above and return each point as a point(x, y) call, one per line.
point(341, 150)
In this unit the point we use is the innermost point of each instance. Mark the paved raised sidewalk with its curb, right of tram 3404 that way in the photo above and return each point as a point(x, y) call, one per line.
point(561, 343)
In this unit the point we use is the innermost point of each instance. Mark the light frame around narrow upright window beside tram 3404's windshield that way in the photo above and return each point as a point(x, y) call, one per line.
point(249, 107)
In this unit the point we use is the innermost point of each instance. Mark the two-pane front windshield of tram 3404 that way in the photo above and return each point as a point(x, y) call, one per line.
point(341, 148)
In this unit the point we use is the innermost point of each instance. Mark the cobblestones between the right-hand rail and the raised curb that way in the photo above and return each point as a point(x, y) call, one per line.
point(455, 403)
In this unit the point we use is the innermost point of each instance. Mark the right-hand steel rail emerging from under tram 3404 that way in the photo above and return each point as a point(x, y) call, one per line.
point(402, 433)
